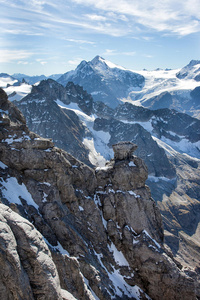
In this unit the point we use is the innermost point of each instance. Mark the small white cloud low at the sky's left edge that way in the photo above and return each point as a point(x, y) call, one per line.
point(13, 55)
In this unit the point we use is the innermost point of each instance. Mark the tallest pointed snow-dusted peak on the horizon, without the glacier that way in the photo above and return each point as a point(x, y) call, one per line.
point(104, 80)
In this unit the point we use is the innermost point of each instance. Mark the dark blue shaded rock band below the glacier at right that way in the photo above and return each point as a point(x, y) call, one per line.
point(164, 122)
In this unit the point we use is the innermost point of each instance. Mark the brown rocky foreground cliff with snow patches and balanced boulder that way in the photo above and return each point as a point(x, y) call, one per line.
point(67, 231)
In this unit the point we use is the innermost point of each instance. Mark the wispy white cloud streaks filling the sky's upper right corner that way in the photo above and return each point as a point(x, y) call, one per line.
point(167, 15)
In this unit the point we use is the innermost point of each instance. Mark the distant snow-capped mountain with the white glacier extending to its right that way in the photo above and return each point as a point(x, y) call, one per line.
point(113, 84)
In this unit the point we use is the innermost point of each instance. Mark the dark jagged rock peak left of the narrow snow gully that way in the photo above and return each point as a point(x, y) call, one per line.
point(50, 120)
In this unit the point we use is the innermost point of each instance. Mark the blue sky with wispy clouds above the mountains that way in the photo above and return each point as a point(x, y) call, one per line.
point(53, 36)
